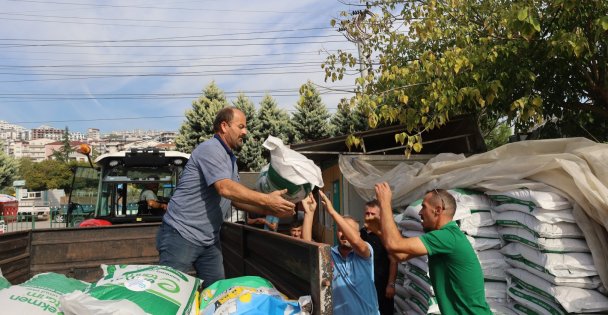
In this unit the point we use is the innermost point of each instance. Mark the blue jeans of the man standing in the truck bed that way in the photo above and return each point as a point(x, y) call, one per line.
point(181, 254)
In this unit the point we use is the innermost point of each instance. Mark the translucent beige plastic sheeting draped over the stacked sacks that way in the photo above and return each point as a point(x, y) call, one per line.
point(574, 167)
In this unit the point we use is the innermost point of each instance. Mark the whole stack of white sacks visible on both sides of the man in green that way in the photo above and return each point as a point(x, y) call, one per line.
point(533, 256)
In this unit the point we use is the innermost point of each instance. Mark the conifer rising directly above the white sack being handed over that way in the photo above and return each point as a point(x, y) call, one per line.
point(274, 121)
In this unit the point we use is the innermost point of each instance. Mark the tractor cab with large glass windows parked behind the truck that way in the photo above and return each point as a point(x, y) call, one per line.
point(113, 190)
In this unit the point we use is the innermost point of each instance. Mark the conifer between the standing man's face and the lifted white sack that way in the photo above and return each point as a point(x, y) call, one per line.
point(250, 155)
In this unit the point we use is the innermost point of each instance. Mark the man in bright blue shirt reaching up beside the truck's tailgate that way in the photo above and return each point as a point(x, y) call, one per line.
point(353, 290)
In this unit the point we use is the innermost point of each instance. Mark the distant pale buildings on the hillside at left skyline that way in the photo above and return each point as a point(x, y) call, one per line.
point(39, 143)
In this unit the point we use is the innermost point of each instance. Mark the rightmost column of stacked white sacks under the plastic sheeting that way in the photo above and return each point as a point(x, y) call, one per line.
point(551, 270)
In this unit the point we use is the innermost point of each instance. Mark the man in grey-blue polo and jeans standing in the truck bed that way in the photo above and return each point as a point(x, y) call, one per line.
point(209, 185)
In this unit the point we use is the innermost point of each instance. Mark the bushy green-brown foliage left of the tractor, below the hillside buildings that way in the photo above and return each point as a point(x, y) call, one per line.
point(47, 174)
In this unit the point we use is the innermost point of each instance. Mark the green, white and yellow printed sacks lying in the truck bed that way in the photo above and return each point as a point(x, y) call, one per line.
point(145, 289)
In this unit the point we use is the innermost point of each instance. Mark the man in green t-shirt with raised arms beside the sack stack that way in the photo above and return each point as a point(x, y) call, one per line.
point(454, 269)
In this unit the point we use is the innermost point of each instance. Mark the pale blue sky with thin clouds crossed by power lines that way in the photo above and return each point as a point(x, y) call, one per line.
point(135, 64)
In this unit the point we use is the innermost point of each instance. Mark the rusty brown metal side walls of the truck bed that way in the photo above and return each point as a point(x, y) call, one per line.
point(294, 266)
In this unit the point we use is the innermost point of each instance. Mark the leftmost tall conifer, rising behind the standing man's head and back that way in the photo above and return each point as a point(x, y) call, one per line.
point(198, 126)
